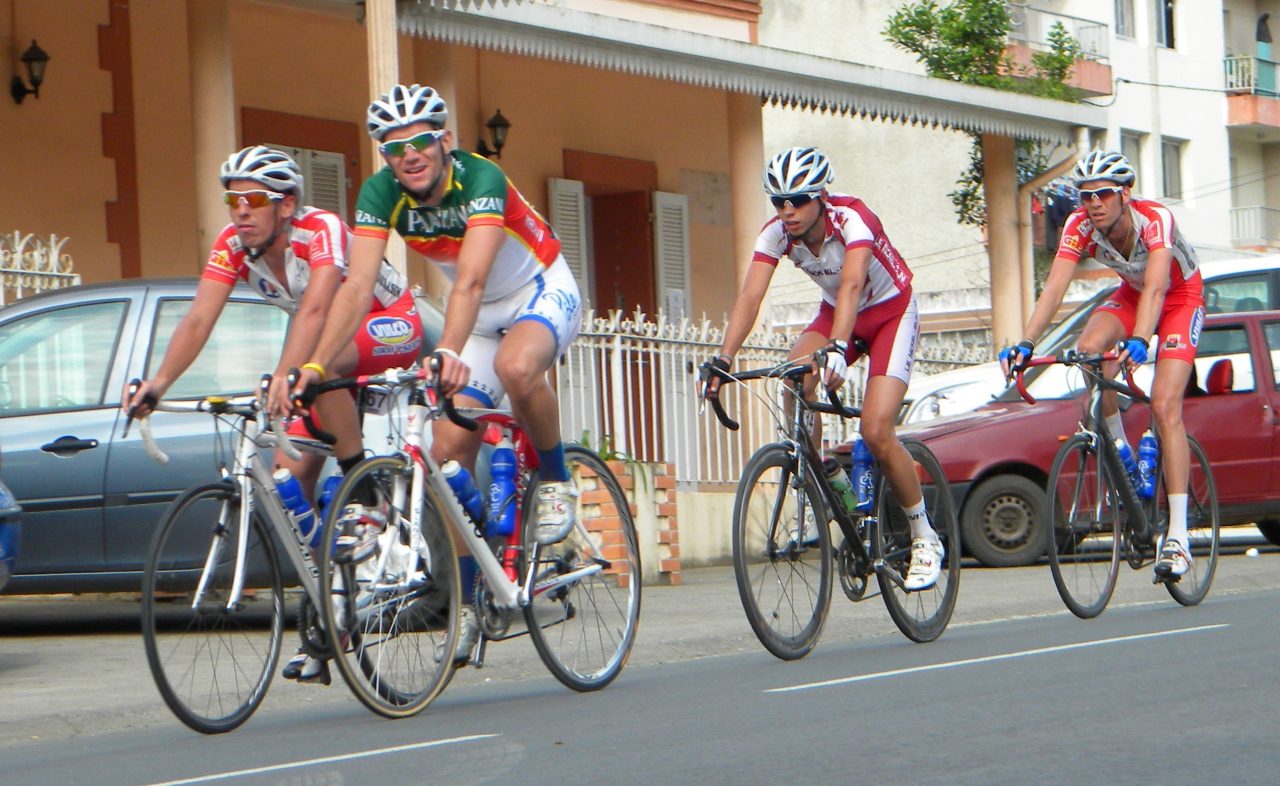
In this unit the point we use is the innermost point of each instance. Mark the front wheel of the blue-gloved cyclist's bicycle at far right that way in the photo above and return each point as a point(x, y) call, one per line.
point(1085, 528)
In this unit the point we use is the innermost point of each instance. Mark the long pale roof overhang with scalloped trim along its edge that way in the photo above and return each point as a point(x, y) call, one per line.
point(778, 76)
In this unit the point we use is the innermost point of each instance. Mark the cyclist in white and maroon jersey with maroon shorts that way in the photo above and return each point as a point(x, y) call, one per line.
point(866, 296)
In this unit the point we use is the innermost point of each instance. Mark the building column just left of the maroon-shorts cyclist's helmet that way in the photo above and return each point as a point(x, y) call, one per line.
point(746, 157)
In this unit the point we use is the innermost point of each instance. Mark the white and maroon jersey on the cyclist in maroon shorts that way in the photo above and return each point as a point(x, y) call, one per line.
point(851, 225)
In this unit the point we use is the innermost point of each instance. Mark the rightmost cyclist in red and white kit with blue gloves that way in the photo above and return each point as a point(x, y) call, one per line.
point(1162, 293)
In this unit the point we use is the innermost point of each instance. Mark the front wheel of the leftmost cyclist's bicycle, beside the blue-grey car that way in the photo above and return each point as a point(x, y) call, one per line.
point(212, 664)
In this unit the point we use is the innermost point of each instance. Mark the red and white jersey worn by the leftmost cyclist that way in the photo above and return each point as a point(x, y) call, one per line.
point(317, 239)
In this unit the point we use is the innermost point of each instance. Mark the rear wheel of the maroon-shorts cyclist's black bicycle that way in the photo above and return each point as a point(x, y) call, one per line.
point(922, 615)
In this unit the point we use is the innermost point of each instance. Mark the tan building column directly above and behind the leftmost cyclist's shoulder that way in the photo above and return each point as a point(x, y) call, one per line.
point(213, 113)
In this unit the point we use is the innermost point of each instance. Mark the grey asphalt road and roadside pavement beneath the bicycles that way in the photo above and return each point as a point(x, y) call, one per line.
point(1017, 691)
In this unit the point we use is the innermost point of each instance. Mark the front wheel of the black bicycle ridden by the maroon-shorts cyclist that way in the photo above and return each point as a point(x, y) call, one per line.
point(784, 582)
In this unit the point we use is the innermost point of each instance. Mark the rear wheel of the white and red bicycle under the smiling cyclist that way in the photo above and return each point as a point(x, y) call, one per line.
point(584, 629)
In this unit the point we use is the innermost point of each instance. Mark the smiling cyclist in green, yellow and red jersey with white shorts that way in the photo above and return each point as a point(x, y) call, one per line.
point(514, 308)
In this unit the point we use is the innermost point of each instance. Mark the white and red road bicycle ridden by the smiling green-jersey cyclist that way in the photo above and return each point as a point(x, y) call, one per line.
point(394, 629)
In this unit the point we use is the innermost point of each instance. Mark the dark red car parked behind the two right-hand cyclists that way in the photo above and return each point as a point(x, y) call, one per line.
point(998, 458)
